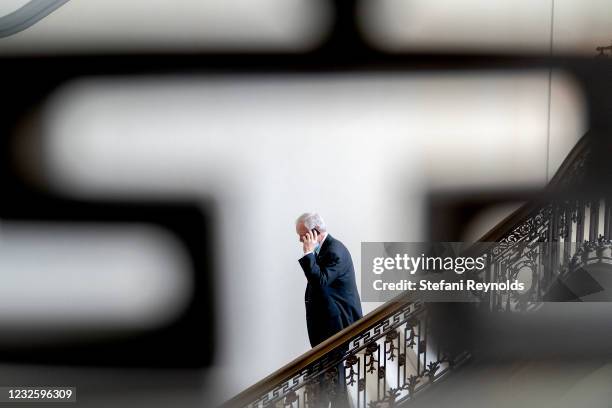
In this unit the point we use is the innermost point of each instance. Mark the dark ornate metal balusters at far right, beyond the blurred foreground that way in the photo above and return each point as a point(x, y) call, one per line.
point(554, 242)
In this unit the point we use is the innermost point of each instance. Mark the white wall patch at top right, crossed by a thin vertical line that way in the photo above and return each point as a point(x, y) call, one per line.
point(503, 26)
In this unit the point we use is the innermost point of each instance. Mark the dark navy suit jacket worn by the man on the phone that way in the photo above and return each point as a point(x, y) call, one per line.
point(332, 300)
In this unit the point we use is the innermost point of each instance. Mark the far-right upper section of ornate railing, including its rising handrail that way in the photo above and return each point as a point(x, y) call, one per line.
point(545, 241)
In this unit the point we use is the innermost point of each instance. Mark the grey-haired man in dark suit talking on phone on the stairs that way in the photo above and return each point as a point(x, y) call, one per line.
point(332, 300)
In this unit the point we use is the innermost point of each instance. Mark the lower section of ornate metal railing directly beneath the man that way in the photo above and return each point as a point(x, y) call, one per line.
point(387, 357)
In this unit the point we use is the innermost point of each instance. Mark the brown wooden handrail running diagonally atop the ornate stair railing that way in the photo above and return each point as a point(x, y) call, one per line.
point(390, 307)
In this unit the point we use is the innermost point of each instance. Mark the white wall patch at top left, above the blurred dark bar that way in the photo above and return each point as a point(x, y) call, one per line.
point(99, 26)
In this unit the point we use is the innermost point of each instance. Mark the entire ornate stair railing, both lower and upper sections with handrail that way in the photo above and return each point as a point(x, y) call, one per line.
point(390, 355)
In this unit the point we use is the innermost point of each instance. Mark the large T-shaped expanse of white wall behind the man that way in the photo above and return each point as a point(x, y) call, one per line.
point(361, 150)
